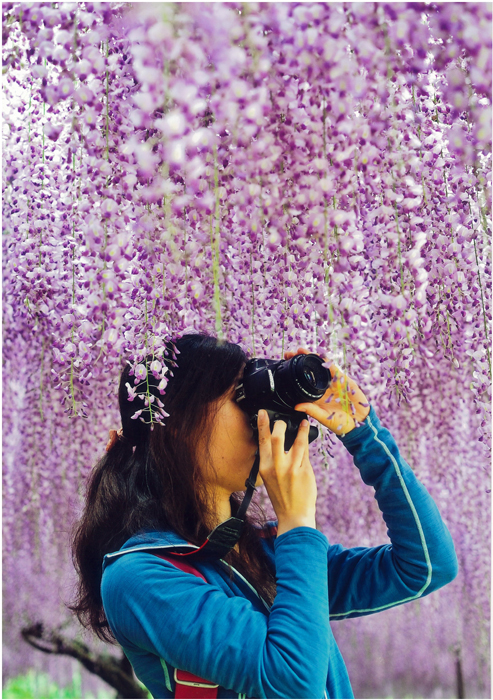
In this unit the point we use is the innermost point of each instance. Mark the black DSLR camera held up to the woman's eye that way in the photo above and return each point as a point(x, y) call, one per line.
point(278, 386)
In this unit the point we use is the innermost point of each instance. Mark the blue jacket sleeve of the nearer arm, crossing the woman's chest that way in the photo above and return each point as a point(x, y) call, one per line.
point(196, 626)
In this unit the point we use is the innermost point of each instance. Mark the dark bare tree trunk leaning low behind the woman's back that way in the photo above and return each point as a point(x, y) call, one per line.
point(116, 672)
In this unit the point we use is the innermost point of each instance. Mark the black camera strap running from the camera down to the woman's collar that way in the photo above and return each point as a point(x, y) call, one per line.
point(224, 537)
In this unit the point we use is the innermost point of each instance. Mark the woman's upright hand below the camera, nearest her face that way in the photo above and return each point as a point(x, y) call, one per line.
point(288, 476)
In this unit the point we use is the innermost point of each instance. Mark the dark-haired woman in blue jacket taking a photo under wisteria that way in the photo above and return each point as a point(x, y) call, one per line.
point(256, 623)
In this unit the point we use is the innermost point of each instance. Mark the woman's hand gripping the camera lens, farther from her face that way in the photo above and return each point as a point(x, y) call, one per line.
point(342, 403)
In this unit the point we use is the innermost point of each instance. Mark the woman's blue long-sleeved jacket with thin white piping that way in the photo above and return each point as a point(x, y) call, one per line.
point(221, 630)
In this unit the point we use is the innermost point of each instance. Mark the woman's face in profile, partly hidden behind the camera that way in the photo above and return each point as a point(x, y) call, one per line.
point(232, 447)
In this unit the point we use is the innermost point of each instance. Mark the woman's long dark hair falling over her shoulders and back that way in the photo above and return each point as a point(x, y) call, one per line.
point(150, 479)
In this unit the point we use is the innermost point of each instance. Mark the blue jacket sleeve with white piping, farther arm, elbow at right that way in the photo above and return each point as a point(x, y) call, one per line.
point(420, 557)
